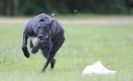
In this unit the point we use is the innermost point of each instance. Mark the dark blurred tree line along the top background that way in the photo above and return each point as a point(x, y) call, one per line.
point(31, 7)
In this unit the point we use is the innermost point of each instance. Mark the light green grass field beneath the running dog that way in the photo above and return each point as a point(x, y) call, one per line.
point(85, 44)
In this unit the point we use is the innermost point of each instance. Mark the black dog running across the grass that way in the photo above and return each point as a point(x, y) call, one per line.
point(49, 37)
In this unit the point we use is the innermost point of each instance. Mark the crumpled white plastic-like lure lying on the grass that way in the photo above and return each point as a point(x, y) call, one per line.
point(97, 69)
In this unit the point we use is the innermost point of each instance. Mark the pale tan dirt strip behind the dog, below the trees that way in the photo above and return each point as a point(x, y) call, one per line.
point(101, 20)
